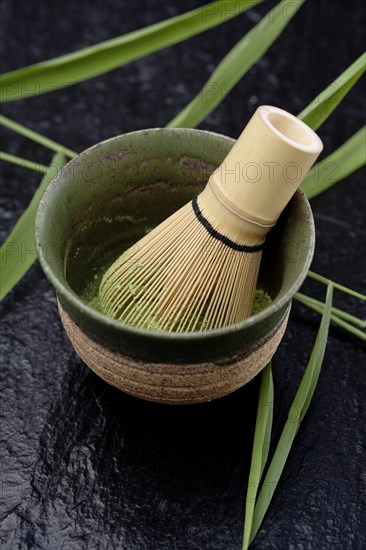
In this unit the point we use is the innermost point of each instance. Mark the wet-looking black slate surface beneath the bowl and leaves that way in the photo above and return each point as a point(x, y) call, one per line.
point(87, 467)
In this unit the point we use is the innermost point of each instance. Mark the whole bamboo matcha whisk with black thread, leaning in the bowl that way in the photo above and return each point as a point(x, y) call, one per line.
point(198, 269)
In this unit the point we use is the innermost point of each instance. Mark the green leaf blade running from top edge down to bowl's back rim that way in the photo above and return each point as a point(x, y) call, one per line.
point(236, 64)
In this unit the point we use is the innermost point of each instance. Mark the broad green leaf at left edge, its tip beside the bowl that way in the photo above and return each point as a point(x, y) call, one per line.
point(18, 252)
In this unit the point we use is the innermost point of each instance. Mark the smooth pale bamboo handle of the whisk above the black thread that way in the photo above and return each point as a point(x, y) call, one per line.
point(265, 167)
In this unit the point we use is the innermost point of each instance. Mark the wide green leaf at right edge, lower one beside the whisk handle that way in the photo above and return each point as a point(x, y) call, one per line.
point(348, 158)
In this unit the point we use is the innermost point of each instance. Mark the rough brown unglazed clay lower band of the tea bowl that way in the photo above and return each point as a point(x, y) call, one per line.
point(169, 383)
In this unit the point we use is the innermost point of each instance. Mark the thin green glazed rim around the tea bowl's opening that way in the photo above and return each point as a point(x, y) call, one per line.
point(69, 295)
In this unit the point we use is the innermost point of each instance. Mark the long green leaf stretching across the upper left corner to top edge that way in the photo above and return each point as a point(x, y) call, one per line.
point(89, 62)
